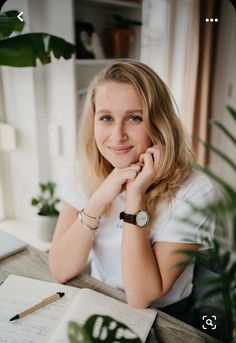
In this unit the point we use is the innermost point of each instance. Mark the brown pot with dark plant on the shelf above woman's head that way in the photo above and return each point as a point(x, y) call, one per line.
point(119, 36)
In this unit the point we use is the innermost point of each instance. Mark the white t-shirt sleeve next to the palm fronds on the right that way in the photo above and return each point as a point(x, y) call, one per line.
point(181, 223)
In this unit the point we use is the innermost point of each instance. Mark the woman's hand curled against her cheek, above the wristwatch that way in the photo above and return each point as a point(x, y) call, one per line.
point(147, 175)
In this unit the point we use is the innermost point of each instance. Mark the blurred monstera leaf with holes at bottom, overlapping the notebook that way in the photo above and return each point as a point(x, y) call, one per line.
point(100, 329)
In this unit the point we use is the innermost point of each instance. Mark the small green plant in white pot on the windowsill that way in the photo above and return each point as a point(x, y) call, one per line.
point(46, 203)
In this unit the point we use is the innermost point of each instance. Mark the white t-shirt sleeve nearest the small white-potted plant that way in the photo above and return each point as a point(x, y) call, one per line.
point(71, 190)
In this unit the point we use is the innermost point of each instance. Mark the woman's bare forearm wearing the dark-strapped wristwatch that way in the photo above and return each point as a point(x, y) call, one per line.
point(140, 270)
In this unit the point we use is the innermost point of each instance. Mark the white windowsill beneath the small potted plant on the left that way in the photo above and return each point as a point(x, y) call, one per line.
point(25, 231)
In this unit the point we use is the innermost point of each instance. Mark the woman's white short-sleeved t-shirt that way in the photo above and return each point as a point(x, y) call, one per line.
point(167, 227)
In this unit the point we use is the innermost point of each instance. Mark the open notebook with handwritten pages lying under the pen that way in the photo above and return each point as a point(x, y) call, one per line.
point(50, 323)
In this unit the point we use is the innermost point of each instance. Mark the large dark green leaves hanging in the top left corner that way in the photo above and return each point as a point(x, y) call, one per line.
point(23, 50)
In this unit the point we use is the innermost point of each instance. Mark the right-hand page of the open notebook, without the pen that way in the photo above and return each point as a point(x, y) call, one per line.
point(89, 302)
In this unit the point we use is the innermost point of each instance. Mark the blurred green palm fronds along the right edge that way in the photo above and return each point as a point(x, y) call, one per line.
point(217, 259)
